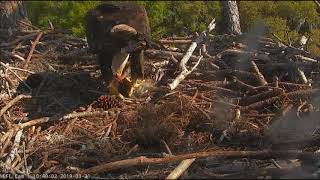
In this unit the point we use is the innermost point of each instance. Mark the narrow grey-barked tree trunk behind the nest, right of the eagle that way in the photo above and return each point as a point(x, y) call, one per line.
point(231, 17)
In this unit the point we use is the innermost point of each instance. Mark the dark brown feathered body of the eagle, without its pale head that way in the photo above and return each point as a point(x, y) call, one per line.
point(100, 21)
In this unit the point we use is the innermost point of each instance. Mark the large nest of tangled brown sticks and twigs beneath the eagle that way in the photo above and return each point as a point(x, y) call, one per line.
point(224, 104)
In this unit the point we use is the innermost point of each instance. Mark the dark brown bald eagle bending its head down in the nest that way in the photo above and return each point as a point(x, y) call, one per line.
point(119, 32)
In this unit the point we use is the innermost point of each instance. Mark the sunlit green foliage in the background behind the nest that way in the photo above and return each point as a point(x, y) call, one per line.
point(180, 18)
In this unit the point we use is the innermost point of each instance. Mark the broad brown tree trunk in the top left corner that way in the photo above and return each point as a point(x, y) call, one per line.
point(13, 15)
